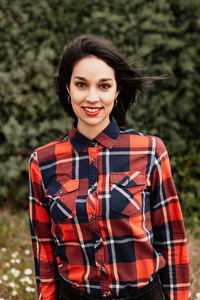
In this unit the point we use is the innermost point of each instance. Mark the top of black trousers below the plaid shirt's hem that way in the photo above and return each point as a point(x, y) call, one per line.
point(153, 291)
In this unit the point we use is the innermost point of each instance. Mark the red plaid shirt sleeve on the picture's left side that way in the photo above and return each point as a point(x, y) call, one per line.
point(43, 243)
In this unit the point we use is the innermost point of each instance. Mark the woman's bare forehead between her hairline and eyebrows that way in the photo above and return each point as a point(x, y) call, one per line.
point(93, 67)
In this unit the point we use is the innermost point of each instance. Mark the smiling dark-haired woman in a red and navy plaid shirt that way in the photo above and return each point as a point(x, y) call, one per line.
point(105, 217)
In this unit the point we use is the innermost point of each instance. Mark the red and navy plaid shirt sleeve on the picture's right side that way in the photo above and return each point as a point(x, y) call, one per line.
point(168, 228)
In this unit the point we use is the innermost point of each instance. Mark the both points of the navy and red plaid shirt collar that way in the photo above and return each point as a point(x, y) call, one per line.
point(106, 138)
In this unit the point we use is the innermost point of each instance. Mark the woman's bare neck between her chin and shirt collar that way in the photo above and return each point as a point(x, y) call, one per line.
point(91, 131)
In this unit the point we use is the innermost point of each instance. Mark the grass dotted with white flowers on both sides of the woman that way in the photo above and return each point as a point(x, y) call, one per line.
point(17, 276)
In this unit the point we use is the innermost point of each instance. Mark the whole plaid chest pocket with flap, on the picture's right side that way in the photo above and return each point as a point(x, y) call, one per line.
point(126, 193)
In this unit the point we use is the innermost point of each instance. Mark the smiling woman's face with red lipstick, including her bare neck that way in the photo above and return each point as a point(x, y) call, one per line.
point(93, 90)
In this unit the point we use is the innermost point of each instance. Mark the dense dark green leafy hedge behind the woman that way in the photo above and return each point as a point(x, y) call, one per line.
point(157, 36)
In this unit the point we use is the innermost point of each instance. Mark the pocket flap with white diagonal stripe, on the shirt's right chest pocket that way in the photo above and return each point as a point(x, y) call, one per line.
point(129, 179)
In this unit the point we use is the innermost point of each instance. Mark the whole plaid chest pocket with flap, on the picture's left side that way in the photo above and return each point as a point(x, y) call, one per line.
point(63, 201)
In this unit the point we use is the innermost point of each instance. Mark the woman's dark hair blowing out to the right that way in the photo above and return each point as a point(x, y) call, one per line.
point(129, 82)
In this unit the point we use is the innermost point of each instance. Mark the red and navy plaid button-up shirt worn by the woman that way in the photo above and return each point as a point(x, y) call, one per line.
point(105, 215)
